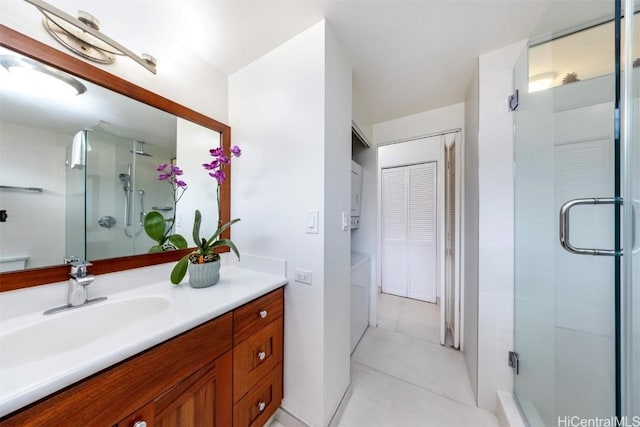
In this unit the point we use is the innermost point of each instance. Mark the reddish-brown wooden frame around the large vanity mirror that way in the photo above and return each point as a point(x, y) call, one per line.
point(27, 46)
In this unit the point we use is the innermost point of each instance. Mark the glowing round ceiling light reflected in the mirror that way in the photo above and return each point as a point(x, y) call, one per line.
point(41, 78)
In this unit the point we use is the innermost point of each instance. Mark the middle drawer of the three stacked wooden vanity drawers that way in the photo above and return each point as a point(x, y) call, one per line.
point(254, 357)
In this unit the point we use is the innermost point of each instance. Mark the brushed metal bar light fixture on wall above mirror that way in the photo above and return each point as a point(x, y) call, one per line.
point(82, 36)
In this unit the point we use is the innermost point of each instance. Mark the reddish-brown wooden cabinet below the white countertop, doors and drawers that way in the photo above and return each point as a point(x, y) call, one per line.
point(186, 381)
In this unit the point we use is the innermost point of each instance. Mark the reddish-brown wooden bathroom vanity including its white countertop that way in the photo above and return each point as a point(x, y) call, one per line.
point(225, 371)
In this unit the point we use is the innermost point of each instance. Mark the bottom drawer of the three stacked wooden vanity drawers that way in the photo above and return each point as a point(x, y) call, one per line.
point(261, 402)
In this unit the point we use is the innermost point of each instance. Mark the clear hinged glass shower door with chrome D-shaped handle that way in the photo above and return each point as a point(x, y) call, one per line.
point(565, 134)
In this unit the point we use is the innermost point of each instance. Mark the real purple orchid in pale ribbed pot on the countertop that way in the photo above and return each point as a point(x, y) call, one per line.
point(203, 264)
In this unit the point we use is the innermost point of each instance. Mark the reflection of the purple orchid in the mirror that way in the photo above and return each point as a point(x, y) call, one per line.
point(159, 228)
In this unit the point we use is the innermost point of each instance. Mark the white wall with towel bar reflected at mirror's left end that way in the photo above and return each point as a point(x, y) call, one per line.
point(30, 215)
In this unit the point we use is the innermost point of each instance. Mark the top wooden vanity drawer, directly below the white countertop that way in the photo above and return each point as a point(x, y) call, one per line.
point(251, 317)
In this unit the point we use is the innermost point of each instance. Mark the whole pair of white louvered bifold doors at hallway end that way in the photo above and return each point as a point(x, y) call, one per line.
point(409, 231)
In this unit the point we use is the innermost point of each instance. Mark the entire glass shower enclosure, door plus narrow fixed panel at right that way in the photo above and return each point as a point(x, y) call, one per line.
point(577, 203)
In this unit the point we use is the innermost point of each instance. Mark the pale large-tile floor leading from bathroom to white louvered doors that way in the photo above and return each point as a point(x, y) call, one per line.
point(403, 377)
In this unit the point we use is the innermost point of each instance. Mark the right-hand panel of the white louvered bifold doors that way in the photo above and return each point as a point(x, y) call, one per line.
point(422, 232)
